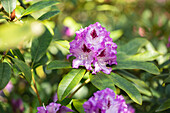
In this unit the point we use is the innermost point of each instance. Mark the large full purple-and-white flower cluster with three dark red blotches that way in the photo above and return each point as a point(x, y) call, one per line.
point(93, 45)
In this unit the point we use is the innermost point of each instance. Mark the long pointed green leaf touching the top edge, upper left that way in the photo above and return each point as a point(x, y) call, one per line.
point(38, 6)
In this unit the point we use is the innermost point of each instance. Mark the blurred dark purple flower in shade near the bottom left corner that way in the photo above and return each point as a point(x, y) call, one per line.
point(17, 106)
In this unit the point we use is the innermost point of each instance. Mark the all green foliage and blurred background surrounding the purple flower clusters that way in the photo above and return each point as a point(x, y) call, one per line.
point(34, 42)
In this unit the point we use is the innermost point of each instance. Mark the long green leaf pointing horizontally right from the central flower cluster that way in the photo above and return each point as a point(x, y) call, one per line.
point(147, 66)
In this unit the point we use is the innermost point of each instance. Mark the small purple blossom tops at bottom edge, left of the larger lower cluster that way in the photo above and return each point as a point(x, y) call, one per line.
point(54, 107)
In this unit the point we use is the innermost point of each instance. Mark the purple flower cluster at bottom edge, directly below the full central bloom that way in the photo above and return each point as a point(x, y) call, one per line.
point(105, 101)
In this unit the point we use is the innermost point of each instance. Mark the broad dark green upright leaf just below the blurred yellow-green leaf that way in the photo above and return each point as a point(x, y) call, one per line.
point(40, 45)
